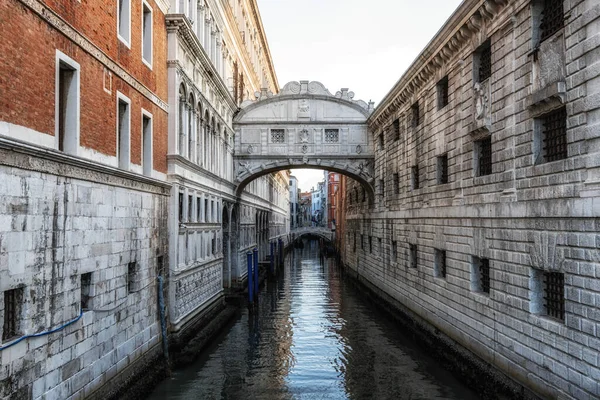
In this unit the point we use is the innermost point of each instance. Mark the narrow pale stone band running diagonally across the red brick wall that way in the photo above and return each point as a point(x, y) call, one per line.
point(54, 20)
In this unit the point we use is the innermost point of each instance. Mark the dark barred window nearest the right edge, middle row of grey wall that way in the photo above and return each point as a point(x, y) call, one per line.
point(552, 128)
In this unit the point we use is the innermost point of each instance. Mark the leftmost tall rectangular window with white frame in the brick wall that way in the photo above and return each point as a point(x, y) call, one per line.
point(67, 104)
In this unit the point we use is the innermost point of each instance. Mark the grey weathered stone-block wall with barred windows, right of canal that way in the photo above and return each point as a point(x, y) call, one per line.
point(527, 216)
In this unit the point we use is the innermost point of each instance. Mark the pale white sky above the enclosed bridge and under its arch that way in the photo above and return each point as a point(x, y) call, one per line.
point(361, 45)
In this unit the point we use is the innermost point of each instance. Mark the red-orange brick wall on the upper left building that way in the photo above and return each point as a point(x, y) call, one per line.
point(27, 74)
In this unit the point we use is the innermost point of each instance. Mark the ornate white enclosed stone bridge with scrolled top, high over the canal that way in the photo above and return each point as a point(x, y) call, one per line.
point(304, 126)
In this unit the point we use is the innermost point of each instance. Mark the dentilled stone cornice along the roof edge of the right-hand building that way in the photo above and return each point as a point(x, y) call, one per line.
point(456, 32)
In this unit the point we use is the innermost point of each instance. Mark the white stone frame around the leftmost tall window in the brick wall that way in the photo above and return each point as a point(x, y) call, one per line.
point(72, 143)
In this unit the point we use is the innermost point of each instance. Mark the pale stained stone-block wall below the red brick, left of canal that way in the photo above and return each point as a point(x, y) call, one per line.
point(55, 228)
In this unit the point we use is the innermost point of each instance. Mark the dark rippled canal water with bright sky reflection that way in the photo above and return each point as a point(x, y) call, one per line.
point(313, 337)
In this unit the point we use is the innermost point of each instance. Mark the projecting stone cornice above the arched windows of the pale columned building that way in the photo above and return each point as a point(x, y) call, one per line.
point(179, 24)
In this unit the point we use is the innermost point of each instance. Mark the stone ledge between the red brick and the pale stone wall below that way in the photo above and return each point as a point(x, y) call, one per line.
point(23, 155)
